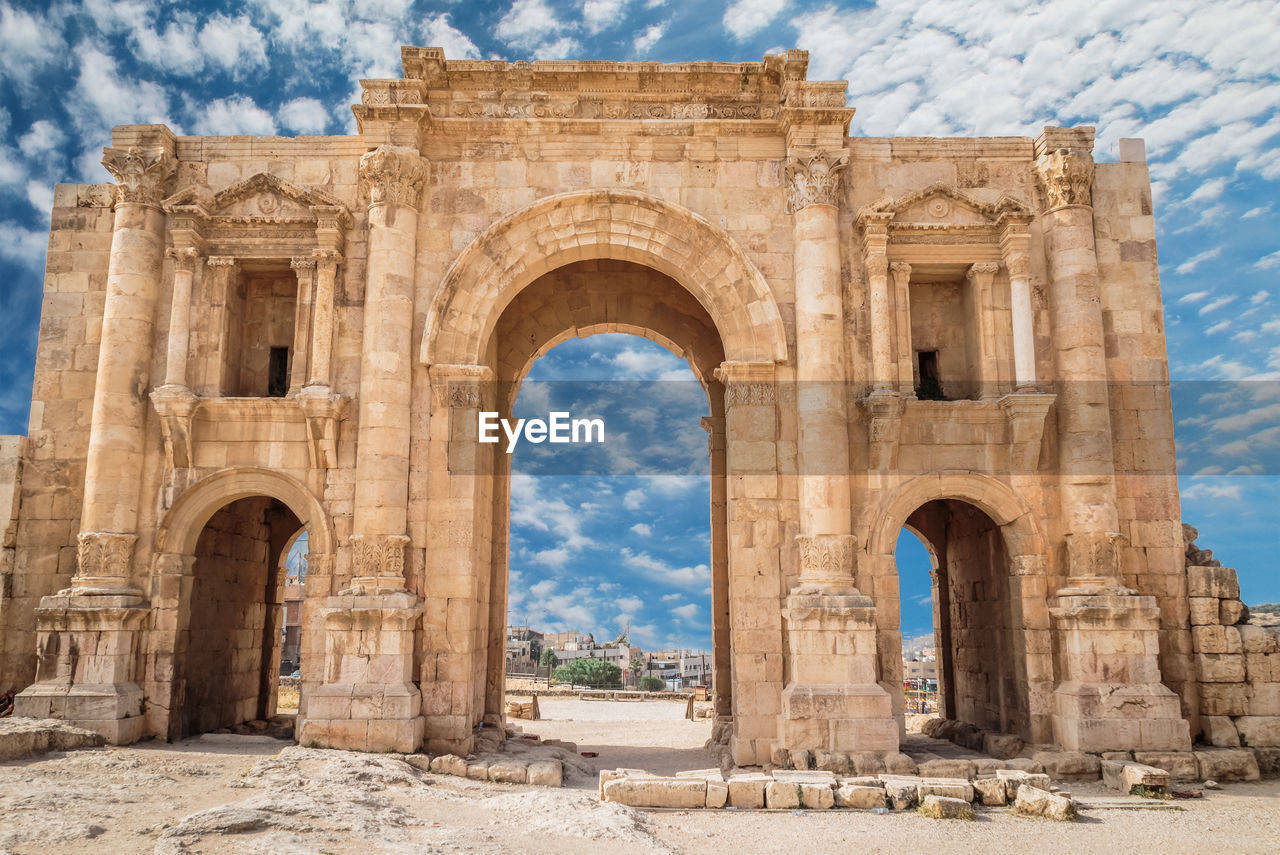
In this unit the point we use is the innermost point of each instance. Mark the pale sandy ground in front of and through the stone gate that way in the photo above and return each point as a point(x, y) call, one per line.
point(245, 795)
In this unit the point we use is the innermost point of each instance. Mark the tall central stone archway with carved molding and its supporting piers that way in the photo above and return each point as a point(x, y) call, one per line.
point(601, 262)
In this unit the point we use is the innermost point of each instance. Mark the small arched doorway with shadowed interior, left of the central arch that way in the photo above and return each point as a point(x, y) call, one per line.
point(221, 612)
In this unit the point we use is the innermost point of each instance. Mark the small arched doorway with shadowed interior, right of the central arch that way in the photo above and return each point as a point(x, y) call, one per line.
point(993, 630)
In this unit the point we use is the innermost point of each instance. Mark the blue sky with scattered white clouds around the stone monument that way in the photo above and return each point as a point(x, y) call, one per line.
point(1199, 80)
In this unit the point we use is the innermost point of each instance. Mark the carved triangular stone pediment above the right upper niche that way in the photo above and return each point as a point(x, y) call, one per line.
point(940, 220)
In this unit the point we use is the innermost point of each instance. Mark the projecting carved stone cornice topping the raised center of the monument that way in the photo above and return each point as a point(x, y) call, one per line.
point(495, 90)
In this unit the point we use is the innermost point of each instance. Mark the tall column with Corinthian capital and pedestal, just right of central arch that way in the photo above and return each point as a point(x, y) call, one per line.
point(833, 701)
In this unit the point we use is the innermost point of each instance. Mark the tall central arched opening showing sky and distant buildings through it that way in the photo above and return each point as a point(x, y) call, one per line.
point(615, 552)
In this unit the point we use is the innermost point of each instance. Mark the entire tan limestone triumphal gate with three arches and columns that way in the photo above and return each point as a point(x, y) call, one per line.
point(246, 339)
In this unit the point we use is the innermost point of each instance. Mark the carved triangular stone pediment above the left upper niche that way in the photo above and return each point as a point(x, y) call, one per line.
point(262, 217)
